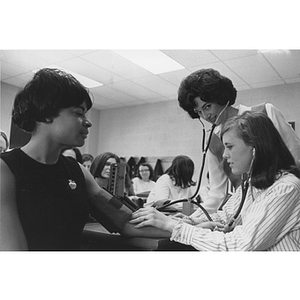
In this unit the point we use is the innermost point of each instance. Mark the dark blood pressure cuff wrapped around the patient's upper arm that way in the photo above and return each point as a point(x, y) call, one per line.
point(109, 211)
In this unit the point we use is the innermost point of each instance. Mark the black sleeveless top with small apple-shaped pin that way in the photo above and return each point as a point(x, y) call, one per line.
point(51, 201)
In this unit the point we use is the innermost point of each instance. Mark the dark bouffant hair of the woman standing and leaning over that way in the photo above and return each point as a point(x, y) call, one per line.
point(209, 85)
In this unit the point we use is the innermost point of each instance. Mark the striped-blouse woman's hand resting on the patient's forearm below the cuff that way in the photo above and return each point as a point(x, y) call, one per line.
point(149, 216)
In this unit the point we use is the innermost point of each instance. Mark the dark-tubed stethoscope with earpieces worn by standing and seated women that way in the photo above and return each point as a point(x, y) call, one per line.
point(244, 184)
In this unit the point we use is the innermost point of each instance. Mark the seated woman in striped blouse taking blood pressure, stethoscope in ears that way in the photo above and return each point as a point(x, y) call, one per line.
point(263, 213)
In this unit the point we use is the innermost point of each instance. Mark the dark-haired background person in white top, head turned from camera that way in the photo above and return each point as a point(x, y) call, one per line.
point(175, 183)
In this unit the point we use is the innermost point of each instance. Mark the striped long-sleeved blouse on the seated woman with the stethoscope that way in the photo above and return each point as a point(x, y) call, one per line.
point(269, 221)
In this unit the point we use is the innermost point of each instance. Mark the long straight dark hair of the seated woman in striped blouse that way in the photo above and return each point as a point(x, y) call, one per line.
point(272, 156)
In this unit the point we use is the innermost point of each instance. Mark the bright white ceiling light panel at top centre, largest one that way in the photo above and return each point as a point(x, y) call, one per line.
point(154, 61)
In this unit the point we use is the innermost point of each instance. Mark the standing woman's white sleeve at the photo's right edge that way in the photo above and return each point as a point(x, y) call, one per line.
point(287, 133)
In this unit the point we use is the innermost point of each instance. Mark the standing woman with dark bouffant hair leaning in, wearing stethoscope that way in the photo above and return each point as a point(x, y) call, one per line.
point(208, 95)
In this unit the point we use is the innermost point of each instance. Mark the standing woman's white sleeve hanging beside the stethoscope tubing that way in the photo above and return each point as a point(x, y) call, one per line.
point(218, 183)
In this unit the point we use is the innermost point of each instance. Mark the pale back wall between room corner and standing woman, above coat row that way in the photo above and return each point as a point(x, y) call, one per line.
point(160, 130)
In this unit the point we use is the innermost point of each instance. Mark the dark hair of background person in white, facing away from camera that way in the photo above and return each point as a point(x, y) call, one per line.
point(182, 171)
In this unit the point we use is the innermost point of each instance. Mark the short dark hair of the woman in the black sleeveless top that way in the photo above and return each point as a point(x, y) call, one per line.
point(45, 95)
